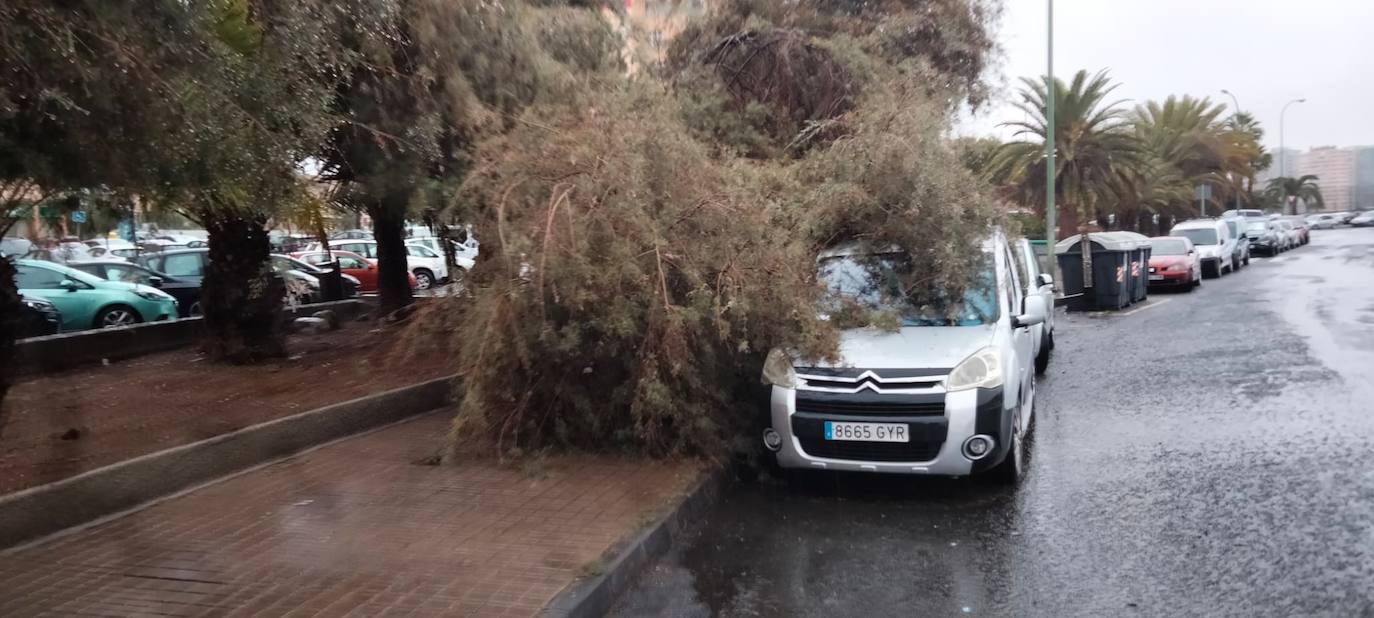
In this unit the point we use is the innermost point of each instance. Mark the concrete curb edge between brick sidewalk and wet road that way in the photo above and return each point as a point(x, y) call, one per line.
point(594, 597)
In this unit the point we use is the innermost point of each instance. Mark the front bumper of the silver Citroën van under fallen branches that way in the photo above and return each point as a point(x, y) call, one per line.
point(967, 414)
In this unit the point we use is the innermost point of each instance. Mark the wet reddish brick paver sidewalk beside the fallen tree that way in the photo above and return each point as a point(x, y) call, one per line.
point(352, 529)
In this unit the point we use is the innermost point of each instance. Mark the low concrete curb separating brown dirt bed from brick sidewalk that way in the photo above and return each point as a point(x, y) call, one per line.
point(49, 509)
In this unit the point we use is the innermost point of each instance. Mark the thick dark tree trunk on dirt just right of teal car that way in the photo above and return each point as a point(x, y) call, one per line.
point(241, 296)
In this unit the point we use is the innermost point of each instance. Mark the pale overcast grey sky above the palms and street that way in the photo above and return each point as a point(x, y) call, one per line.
point(1265, 51)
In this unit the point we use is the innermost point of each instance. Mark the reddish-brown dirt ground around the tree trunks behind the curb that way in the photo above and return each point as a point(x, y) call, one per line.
point(67, 424)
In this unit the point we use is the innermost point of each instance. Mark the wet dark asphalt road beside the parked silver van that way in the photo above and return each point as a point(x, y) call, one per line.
point(1202, 455)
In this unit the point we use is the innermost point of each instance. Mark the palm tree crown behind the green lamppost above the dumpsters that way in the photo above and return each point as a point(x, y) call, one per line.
point(1097, 152)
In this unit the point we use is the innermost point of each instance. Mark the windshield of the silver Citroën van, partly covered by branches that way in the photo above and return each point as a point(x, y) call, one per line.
point(884, 282)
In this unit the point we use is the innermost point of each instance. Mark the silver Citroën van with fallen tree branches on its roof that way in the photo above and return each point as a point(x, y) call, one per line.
point(949, 393)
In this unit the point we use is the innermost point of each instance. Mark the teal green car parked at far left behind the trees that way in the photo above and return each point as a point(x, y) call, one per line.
point(87, 301)
